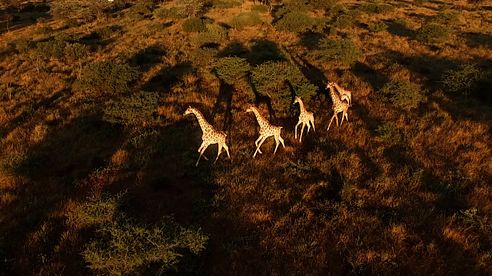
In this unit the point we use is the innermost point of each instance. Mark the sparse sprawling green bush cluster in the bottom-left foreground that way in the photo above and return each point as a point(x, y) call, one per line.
point(123, 246)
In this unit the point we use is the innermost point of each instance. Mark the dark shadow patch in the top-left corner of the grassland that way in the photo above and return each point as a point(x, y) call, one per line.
point(25, 15)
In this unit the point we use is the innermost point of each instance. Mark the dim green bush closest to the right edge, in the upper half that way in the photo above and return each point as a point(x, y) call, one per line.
point(463, 79)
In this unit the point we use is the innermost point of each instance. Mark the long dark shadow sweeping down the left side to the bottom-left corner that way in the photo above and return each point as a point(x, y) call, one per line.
point(51, 170)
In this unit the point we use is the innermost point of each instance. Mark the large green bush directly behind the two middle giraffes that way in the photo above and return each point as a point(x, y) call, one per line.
point(269, 79)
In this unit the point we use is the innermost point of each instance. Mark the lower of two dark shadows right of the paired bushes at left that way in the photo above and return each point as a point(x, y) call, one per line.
point(167, 77)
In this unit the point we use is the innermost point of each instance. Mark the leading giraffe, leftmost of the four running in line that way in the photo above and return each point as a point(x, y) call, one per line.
point(210, 136)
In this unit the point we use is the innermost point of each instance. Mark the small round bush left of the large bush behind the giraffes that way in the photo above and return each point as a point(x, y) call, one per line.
point(231, 69)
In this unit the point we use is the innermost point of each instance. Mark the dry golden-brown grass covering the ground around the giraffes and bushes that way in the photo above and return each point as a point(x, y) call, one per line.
point(347, 200)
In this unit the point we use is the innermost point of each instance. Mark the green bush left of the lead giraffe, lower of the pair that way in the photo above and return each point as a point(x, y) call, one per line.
point(135, 109)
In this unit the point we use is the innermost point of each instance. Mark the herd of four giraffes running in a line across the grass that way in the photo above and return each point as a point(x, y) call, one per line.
point(341, 98)
